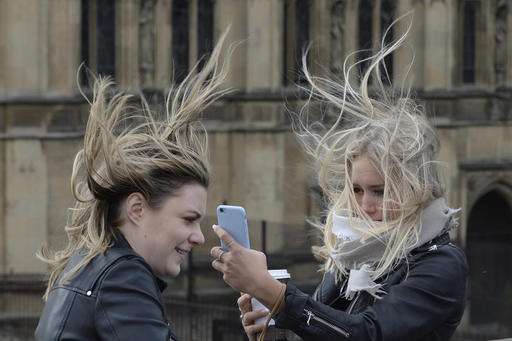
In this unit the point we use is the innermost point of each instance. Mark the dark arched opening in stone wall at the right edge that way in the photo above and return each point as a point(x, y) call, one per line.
point(489, 253)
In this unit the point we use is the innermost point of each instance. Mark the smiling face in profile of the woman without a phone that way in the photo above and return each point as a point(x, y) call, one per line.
point(165, 235)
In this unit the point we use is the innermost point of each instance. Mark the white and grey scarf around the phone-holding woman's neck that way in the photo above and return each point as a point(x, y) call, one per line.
point(359, 255)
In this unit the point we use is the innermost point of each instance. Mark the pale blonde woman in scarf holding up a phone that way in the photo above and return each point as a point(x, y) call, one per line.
point(390, 271)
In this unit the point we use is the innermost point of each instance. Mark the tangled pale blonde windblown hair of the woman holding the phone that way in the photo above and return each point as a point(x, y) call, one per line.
point(393, 132)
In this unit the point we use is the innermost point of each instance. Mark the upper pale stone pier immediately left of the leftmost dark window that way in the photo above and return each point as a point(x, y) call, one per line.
point(64, 45)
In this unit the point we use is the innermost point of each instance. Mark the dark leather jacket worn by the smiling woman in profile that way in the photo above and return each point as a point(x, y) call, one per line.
point(115, 297)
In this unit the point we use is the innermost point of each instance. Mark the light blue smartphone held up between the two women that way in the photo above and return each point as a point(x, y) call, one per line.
point(234, 221)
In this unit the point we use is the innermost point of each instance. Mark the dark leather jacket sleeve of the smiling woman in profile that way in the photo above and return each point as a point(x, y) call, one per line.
point(128, 305)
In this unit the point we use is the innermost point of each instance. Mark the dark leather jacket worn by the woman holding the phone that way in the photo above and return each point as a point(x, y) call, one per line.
point(424, 300)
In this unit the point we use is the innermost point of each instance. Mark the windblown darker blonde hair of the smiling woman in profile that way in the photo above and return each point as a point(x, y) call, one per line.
point(128, 148)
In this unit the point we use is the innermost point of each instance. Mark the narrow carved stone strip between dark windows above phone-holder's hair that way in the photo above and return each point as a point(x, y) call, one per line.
point(336, 35)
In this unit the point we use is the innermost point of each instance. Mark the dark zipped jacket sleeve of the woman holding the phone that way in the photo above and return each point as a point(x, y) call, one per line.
point(433, 291)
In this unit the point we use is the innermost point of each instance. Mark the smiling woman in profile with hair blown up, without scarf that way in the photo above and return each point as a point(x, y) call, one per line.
point(140, 185)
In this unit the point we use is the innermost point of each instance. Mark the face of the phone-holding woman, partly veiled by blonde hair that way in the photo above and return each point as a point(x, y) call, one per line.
point(368, 187)
